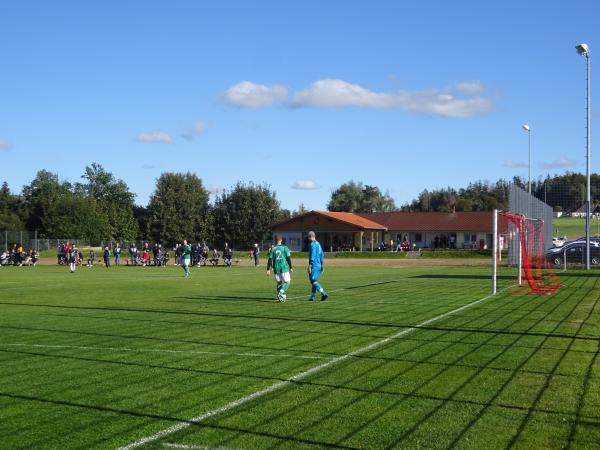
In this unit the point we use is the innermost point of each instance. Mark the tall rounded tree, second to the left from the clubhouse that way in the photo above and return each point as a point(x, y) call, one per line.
point(178, 209)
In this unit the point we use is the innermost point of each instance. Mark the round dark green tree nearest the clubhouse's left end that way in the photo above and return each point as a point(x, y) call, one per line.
point(245, 214)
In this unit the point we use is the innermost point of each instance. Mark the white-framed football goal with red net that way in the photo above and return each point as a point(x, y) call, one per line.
point(531, 259)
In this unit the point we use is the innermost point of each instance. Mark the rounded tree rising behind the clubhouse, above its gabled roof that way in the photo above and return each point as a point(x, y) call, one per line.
point(354, 197)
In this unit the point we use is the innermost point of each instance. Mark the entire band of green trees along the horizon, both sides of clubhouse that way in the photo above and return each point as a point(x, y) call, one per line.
point(101, 207)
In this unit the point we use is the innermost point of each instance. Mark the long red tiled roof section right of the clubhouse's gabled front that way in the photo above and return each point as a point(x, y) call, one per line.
point(434, 221)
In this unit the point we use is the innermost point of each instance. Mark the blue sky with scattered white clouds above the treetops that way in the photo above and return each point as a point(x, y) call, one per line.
point(303, 95)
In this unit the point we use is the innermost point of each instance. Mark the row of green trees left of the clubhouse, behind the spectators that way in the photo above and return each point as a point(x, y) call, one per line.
point(101, 207)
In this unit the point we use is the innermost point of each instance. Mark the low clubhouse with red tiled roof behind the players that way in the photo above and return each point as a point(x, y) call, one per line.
point(366, 231)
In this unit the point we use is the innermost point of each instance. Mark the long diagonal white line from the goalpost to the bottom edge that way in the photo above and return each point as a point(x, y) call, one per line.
point(274, 387)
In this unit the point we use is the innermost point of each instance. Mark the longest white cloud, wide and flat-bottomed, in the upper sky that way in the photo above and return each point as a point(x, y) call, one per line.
point(331, 93)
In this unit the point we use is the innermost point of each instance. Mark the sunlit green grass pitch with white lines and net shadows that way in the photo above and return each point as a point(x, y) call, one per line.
point(104, 358)
